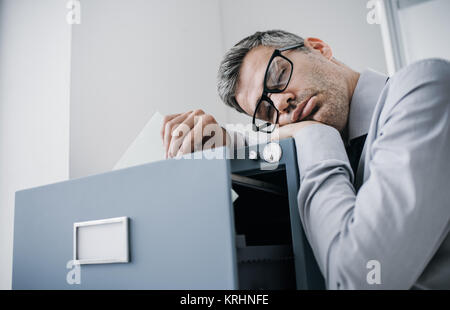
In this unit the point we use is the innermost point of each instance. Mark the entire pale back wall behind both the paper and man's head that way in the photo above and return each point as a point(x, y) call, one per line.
point(131, 58)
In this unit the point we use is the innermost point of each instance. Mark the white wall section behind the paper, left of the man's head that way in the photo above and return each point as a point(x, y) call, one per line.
point(131, 58)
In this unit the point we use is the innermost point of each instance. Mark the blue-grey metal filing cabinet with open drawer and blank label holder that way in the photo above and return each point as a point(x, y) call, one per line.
point(183, 230)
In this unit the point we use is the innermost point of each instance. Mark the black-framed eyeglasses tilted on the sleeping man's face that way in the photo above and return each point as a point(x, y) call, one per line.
point(276, 79)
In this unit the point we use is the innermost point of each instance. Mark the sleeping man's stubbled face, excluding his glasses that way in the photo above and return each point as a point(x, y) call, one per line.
point(317, 91)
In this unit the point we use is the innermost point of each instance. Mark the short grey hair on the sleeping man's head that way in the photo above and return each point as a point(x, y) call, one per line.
point(230, 66)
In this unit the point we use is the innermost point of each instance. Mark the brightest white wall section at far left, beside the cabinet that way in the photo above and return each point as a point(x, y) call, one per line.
point(34, 106)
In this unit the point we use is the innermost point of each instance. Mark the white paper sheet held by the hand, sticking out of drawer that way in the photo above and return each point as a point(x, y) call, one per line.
point(147, 147)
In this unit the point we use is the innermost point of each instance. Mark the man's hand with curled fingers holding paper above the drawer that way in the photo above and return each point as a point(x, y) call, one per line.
point(187, 132)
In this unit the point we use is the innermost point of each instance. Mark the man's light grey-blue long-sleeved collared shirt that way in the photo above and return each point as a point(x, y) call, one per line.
point(388, 226)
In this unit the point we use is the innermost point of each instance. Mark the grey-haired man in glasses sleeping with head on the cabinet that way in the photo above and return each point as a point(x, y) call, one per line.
point(372, 153)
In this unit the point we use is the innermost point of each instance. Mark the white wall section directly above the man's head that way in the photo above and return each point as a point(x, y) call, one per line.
point(342, 24)
